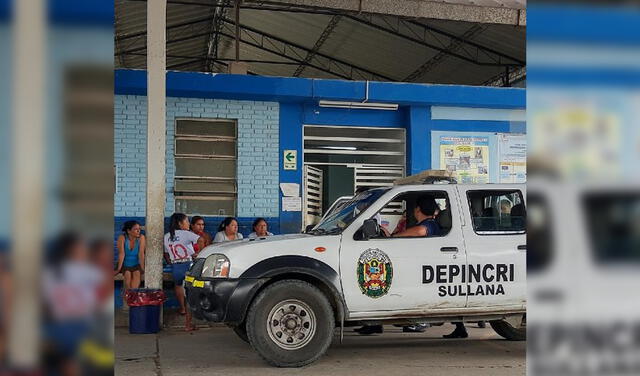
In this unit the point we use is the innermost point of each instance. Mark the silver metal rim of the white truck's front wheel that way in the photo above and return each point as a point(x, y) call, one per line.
point(291, 324)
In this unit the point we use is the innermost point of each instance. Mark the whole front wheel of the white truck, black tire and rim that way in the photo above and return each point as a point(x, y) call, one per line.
point(297, 297)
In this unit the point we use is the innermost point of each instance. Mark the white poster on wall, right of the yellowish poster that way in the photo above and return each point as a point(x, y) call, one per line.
point(512, 155)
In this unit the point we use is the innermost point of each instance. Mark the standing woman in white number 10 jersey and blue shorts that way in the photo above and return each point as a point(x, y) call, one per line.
point(179, 250)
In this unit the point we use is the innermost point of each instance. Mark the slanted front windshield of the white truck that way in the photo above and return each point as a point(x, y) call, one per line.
point(342, 216)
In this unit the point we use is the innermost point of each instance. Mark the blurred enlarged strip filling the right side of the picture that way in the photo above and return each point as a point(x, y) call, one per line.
point(583, 119)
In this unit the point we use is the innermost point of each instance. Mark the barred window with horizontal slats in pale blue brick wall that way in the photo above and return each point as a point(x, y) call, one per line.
point(206, 166)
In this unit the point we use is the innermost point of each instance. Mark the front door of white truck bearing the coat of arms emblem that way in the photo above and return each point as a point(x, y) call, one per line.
point(405, 275)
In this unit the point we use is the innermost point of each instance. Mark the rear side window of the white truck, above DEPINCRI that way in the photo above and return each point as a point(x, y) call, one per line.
point(497, 212)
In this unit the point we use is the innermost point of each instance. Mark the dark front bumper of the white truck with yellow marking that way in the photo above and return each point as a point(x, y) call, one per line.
point(221, 300)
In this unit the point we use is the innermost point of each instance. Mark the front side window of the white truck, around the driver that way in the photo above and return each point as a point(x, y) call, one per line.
point(397, 214)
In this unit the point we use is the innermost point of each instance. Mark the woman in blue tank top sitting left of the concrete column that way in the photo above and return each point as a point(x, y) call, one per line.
point(131, 247)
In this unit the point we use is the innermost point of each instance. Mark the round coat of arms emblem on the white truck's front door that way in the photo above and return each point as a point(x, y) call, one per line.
point(375, 273)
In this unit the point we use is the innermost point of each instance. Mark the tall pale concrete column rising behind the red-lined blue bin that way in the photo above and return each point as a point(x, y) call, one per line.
point(156, 139)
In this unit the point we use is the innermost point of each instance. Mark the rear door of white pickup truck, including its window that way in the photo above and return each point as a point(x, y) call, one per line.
point(496, 245)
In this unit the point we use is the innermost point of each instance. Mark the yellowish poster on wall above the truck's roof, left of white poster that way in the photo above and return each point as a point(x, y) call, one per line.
point(467, 157)
